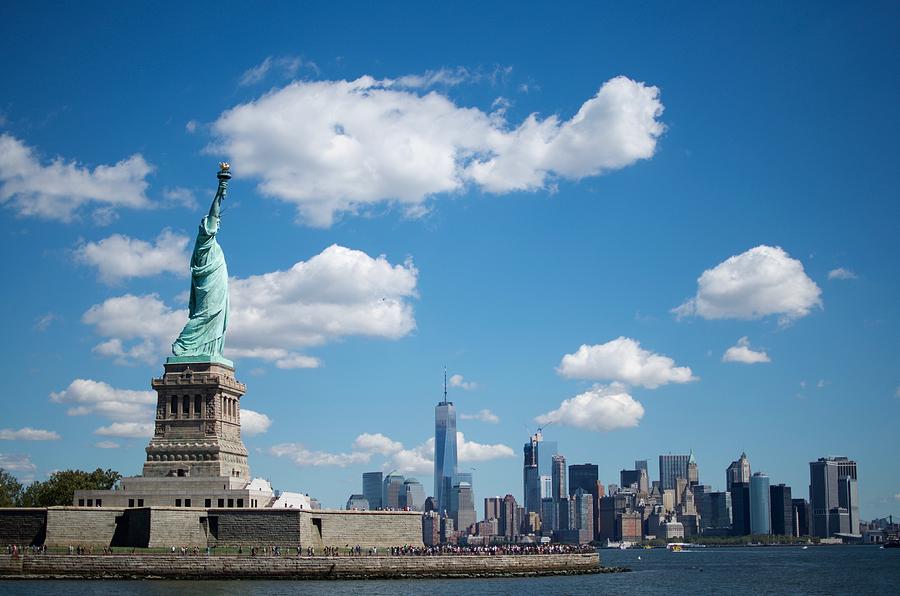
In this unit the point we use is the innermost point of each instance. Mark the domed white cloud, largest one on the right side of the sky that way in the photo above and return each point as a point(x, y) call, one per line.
point(763, 281)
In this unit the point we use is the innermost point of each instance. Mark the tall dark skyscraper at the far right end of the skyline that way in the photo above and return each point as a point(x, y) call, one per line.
point(826, 499)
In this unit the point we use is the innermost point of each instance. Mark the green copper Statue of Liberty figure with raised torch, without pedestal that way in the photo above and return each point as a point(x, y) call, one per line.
point(203, 337)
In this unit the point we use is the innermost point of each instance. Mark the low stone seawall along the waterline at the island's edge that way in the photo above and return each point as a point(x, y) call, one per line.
point(196, 567)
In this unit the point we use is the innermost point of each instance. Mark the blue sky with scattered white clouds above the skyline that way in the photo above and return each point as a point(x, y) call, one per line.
point(486, 188)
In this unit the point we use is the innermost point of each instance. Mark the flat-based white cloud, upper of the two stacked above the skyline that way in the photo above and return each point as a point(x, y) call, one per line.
point(623, 359)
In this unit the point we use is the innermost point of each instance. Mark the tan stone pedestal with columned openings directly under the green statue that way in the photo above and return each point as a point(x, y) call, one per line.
point(198, 423)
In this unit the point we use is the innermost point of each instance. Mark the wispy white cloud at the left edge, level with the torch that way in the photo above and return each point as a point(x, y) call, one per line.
point(57, 190)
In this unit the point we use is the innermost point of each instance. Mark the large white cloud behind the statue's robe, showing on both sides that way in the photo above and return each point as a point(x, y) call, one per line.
point(338, 293)
